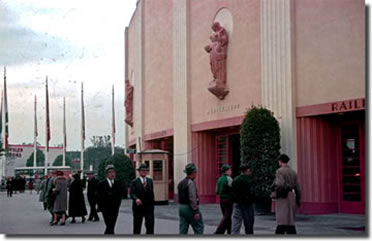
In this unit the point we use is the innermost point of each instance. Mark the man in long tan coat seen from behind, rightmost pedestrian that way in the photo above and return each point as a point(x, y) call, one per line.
point(286, 191)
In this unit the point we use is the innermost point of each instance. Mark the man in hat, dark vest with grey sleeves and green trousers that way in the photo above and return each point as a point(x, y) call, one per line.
point(188, 199)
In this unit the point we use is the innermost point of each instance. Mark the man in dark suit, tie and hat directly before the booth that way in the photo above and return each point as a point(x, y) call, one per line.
point(142, 194)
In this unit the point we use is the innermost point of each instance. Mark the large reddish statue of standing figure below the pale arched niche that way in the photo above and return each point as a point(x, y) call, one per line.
point(217, 55)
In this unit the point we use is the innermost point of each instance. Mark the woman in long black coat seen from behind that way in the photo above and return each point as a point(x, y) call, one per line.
point(76, 202)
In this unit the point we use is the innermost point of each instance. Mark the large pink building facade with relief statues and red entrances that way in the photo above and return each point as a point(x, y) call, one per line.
point(188, 87)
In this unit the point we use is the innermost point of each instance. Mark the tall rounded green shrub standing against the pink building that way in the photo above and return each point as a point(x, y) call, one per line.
point(259, 147)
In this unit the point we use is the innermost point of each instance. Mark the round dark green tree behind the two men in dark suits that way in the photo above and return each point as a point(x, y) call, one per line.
point(125, 172)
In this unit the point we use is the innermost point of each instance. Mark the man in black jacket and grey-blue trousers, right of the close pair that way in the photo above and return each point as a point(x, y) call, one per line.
point(242, 188)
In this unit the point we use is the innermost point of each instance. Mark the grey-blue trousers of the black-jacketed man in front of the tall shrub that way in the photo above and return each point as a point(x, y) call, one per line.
point(243, 212)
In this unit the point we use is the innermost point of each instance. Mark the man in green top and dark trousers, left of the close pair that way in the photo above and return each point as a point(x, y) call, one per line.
point(223, 190)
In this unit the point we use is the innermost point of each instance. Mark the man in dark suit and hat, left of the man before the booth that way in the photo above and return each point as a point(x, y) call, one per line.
point(109, 199)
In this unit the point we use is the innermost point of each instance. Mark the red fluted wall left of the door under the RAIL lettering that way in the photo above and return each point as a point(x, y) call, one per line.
point(317, 165)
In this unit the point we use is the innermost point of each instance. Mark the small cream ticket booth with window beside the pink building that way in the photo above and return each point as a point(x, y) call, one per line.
point(157, 161)
